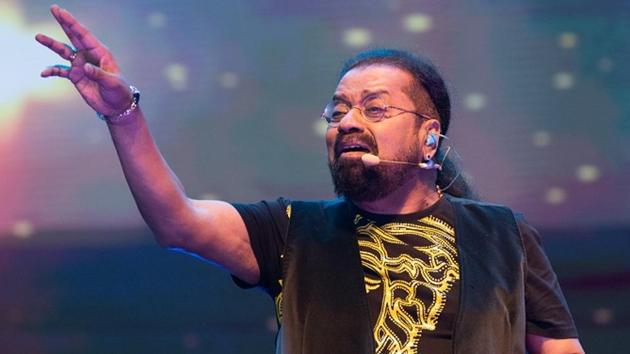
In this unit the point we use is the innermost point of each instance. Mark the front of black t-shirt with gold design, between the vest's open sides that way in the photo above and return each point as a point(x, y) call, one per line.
point(411, 277)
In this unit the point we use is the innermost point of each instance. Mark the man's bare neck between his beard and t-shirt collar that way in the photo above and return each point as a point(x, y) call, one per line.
point(414, 195)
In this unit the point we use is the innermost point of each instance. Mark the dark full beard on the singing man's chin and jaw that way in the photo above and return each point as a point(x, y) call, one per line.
point(358, 183)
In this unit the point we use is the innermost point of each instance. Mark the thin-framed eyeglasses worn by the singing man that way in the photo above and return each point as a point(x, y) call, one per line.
point(372, 112)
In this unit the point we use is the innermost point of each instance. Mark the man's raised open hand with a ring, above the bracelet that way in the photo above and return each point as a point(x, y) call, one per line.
point(92, 70)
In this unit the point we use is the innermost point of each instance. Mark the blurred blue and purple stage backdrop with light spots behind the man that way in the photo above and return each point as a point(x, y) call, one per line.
point(233, 92)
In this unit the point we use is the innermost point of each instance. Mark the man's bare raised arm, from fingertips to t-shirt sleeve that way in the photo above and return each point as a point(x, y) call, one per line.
point(211, 229)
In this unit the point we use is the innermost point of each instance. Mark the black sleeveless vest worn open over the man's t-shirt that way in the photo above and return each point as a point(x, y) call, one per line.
point(324, 306)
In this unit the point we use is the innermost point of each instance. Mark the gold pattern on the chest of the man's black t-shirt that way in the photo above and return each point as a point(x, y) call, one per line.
point(403, 315)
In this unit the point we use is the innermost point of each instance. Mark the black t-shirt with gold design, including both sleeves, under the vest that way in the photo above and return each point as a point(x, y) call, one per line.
point(411, 274)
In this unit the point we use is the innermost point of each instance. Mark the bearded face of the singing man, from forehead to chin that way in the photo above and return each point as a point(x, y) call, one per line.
point(395, 138)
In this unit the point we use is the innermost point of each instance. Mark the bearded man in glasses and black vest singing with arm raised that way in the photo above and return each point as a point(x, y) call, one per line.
point(398, 264)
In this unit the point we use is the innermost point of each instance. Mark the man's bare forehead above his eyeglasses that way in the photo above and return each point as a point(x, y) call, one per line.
point(364, 80)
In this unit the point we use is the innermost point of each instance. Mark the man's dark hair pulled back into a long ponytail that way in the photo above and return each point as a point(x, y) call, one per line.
point(451, 178)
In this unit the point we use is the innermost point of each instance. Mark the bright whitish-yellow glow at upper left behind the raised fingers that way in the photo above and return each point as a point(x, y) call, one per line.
point(22, 63)
